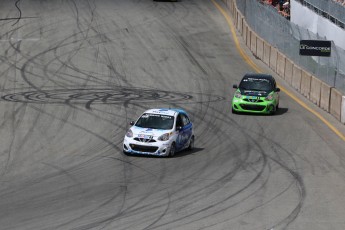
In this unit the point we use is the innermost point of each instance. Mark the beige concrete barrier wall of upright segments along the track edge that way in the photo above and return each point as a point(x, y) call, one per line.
point(320, 93)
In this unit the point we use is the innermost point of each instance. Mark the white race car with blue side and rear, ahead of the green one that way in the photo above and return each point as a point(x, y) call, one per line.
point(160, 132)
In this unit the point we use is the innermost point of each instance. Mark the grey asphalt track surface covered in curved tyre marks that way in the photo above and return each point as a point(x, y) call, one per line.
point(75, 73)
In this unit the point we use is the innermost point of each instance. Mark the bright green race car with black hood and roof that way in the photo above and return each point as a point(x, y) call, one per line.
point(257, 93)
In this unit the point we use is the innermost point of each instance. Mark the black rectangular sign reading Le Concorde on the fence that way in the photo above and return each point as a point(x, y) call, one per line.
point(315, 48)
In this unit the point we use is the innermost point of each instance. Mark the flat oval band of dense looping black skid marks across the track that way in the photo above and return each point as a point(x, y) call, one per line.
point(115, 95)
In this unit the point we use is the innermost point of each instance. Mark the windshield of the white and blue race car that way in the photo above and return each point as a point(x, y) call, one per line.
point(155, 121)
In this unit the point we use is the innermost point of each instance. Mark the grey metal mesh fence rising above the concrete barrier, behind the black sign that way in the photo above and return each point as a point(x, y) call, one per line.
point(286, 36)
